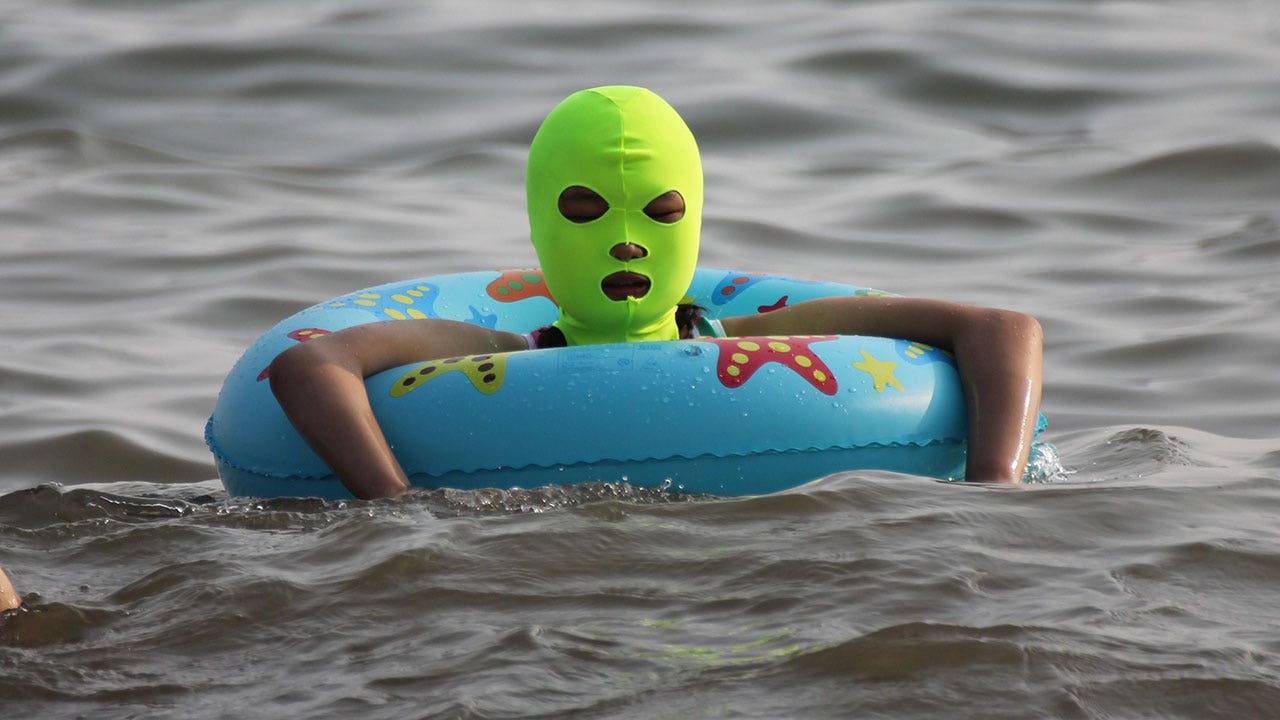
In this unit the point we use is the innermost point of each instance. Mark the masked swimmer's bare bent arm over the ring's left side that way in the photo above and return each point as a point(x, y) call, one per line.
point(321, 385)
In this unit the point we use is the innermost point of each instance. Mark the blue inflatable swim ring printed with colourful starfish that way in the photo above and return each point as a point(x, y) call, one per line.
point(734, 417)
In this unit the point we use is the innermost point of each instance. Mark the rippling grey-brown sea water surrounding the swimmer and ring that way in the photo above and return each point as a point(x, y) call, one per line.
point(177, 176)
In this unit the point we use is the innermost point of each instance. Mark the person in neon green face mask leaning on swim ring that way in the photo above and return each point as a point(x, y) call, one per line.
point(615, 193)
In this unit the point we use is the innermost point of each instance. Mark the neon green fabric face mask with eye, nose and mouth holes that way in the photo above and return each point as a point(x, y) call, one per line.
point(629, 147)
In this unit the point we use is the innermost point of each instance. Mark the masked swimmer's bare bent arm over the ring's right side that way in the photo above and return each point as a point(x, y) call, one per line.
point(999, 354)
